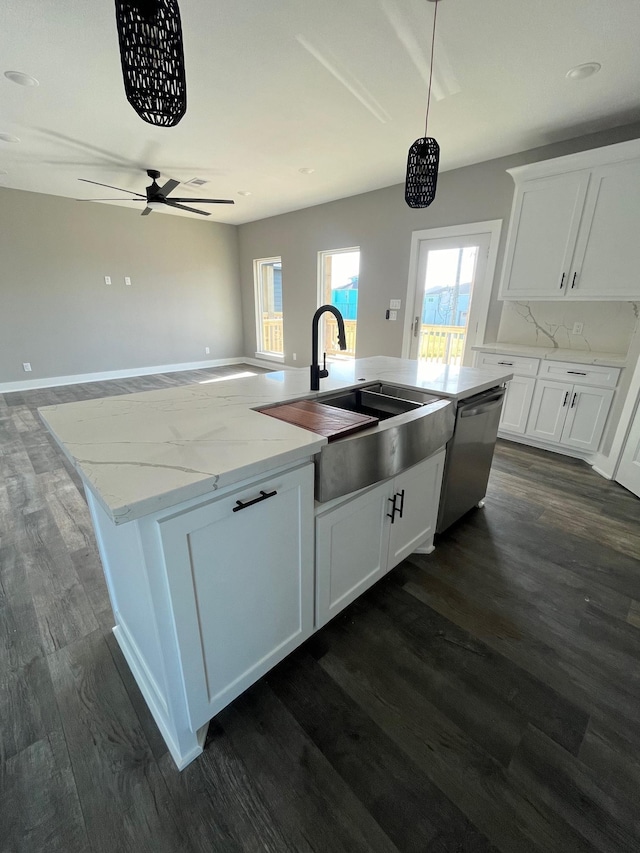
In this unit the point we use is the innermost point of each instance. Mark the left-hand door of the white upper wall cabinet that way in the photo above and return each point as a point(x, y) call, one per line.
point(542, 236)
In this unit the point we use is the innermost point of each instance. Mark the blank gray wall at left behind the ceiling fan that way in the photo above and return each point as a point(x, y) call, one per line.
point(57, 313)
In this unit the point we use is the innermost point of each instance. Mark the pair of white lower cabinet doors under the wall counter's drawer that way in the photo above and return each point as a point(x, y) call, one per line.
point(573, 415)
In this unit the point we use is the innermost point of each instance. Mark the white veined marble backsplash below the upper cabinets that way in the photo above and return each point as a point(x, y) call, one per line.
point(606, 326)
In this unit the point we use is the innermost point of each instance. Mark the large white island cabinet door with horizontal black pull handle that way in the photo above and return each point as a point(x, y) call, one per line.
point(241, 584)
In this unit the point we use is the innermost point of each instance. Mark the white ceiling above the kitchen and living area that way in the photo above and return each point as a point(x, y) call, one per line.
point(338, 86)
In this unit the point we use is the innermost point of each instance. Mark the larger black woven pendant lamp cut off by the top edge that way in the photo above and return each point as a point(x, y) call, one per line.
point(152, 57)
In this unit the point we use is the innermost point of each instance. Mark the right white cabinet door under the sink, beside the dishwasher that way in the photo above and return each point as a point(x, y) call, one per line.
point(417, 492)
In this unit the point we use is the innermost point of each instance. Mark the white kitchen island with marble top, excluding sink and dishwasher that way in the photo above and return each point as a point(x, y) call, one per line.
point(206, 523)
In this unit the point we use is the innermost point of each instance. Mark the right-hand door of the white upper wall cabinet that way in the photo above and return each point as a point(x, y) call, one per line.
point(606, 264)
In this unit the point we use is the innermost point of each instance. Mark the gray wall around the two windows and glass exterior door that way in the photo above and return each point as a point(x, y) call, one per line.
point(381, 224)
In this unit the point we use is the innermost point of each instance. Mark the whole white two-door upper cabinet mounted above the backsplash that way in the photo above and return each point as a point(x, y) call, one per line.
point(574, 226)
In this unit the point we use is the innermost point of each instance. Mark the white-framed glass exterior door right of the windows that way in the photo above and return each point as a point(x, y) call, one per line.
point(448, 295)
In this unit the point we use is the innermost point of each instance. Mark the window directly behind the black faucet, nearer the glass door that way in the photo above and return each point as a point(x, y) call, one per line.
point(339, 270)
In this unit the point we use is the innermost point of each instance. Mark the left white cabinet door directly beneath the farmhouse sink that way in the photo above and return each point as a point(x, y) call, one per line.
point(351, 550)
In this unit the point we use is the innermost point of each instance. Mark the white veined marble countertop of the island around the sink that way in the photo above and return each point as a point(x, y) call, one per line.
point(140, 453)
